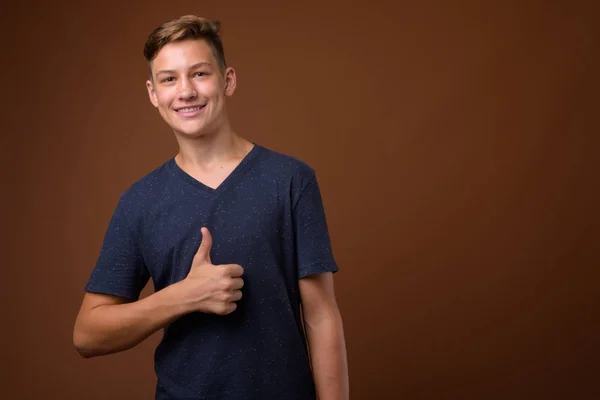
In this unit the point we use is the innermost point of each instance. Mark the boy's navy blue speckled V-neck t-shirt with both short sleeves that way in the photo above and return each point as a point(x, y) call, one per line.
point(268, 217)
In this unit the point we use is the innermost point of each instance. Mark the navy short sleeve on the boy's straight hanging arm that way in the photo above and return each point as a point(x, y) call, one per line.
point(313, 243)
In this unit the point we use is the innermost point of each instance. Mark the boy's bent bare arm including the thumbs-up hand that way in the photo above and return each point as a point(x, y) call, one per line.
point(108, 324)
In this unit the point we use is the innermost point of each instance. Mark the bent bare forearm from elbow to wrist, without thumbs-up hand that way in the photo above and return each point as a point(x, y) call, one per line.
point(112, 328)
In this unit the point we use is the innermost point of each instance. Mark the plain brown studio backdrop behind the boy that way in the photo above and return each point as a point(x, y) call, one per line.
point(456, 145)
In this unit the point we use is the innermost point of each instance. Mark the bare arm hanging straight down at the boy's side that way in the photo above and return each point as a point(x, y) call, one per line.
point(325, 334)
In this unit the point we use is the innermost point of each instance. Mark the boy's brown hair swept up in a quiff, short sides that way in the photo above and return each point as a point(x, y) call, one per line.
point(187, 27)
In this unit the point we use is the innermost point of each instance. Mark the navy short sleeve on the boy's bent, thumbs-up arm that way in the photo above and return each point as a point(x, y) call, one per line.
point(119, 270)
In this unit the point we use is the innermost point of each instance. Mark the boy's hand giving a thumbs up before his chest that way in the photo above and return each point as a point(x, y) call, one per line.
point(212, 288)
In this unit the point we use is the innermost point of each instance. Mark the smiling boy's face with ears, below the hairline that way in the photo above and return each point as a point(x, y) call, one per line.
point(189, 88)
